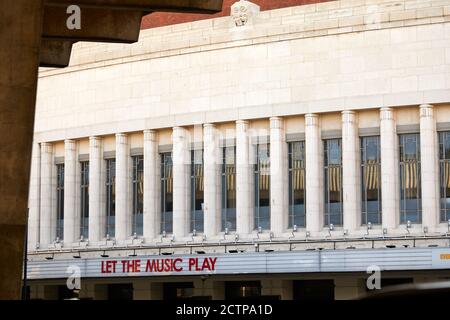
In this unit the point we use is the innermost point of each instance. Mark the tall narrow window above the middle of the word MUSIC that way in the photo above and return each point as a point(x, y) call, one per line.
point(166, 192)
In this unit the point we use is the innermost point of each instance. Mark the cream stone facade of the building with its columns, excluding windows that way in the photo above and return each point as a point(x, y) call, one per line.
point(341, 69)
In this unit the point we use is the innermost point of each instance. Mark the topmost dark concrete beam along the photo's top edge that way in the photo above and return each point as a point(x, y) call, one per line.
point(185, 6)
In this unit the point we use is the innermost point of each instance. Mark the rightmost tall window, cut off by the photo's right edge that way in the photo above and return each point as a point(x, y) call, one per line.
point(444, 163)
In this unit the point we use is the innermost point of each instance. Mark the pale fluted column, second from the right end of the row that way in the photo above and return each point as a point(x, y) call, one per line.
point(389, 169)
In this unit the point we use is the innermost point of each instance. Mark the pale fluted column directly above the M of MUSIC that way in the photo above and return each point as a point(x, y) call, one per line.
point(151, 196)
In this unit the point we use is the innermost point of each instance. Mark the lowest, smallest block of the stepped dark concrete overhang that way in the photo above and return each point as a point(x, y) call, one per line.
point(55, 53)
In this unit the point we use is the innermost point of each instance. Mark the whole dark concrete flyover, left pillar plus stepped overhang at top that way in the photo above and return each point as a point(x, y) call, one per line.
point(33, 34)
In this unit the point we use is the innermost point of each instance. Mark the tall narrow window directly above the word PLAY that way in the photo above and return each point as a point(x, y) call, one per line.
point(197, 190)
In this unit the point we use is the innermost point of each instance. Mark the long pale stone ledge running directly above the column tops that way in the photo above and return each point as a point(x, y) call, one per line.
point(296, 108)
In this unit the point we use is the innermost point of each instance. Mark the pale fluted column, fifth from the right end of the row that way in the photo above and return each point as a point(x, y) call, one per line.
point(279, 200)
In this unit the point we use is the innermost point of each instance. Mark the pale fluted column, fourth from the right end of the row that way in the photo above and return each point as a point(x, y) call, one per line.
point(314, 174)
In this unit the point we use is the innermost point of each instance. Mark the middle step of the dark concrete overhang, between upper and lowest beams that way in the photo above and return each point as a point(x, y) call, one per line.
point(98, 24)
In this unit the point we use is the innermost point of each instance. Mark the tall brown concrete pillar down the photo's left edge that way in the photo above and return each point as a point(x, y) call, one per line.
point(19, 59)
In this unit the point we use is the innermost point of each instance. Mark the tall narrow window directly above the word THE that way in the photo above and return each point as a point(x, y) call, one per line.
point(138, 195)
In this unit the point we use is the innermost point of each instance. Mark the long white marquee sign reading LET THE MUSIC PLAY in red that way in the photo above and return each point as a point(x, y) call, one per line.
point(356, 260)
